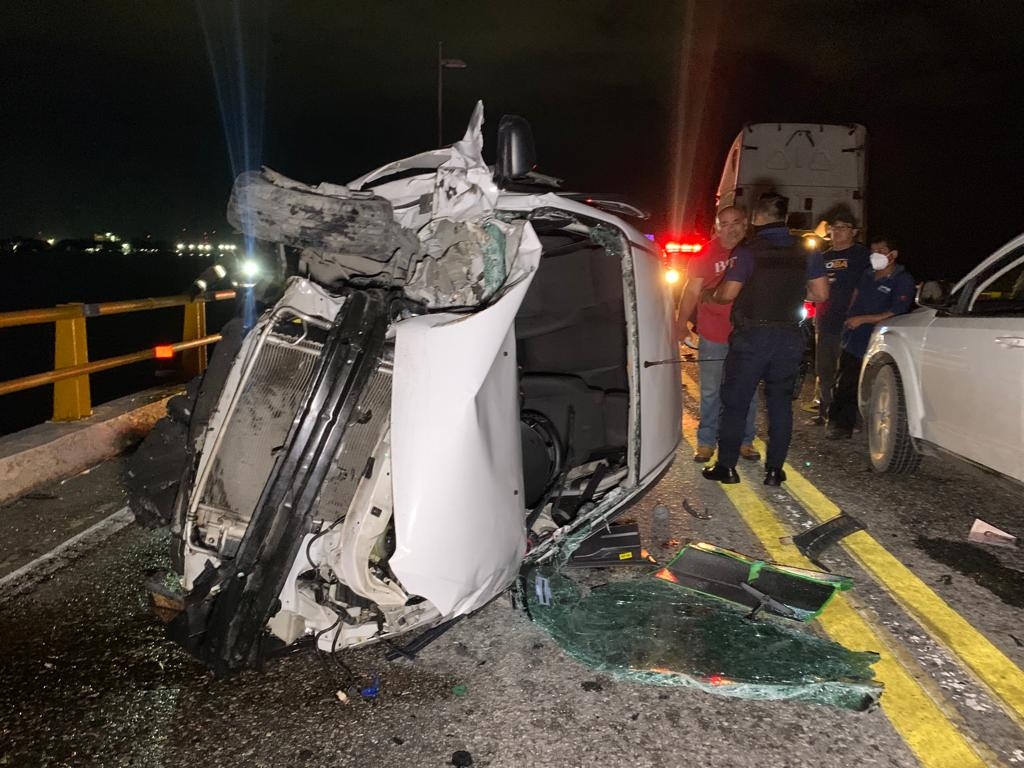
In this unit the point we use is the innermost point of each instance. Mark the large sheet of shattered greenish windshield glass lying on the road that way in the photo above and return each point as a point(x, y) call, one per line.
point(652, 631)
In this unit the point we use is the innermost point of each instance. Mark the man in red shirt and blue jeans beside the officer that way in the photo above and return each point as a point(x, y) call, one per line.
point(705, 272)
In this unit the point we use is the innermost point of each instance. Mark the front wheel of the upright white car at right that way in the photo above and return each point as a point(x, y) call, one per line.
point(889, 442)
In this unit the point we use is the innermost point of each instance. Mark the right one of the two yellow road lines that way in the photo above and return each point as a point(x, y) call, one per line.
point(991, 666)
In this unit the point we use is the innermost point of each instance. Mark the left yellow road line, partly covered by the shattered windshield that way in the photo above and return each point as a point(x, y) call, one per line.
point(928, 733)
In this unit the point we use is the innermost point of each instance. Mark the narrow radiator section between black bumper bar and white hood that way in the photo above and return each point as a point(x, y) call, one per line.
point(351, 462)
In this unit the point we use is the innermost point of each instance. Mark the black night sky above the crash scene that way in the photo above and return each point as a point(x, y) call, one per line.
point(110, 117)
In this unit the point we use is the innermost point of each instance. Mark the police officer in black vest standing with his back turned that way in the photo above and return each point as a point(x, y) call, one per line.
point(771, 278)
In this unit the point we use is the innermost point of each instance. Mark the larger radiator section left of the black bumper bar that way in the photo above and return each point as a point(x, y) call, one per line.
point(260, 424)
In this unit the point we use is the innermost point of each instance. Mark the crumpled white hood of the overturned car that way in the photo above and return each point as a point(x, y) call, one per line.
point(456, 453)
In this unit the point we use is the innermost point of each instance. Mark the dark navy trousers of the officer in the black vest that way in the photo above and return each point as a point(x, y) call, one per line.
point(756, 355)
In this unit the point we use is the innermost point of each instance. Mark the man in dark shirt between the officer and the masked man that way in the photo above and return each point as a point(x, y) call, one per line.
point(845, 263)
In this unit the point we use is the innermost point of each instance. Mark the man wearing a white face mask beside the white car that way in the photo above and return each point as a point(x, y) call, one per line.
point(885, 291)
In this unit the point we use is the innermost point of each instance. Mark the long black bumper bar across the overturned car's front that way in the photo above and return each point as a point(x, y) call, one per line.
point(228, 611)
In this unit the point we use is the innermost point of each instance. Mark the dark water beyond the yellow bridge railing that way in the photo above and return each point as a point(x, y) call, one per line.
point(49, 279)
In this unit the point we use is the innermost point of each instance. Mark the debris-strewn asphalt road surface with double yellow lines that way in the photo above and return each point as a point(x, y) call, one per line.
point(89, 679)
